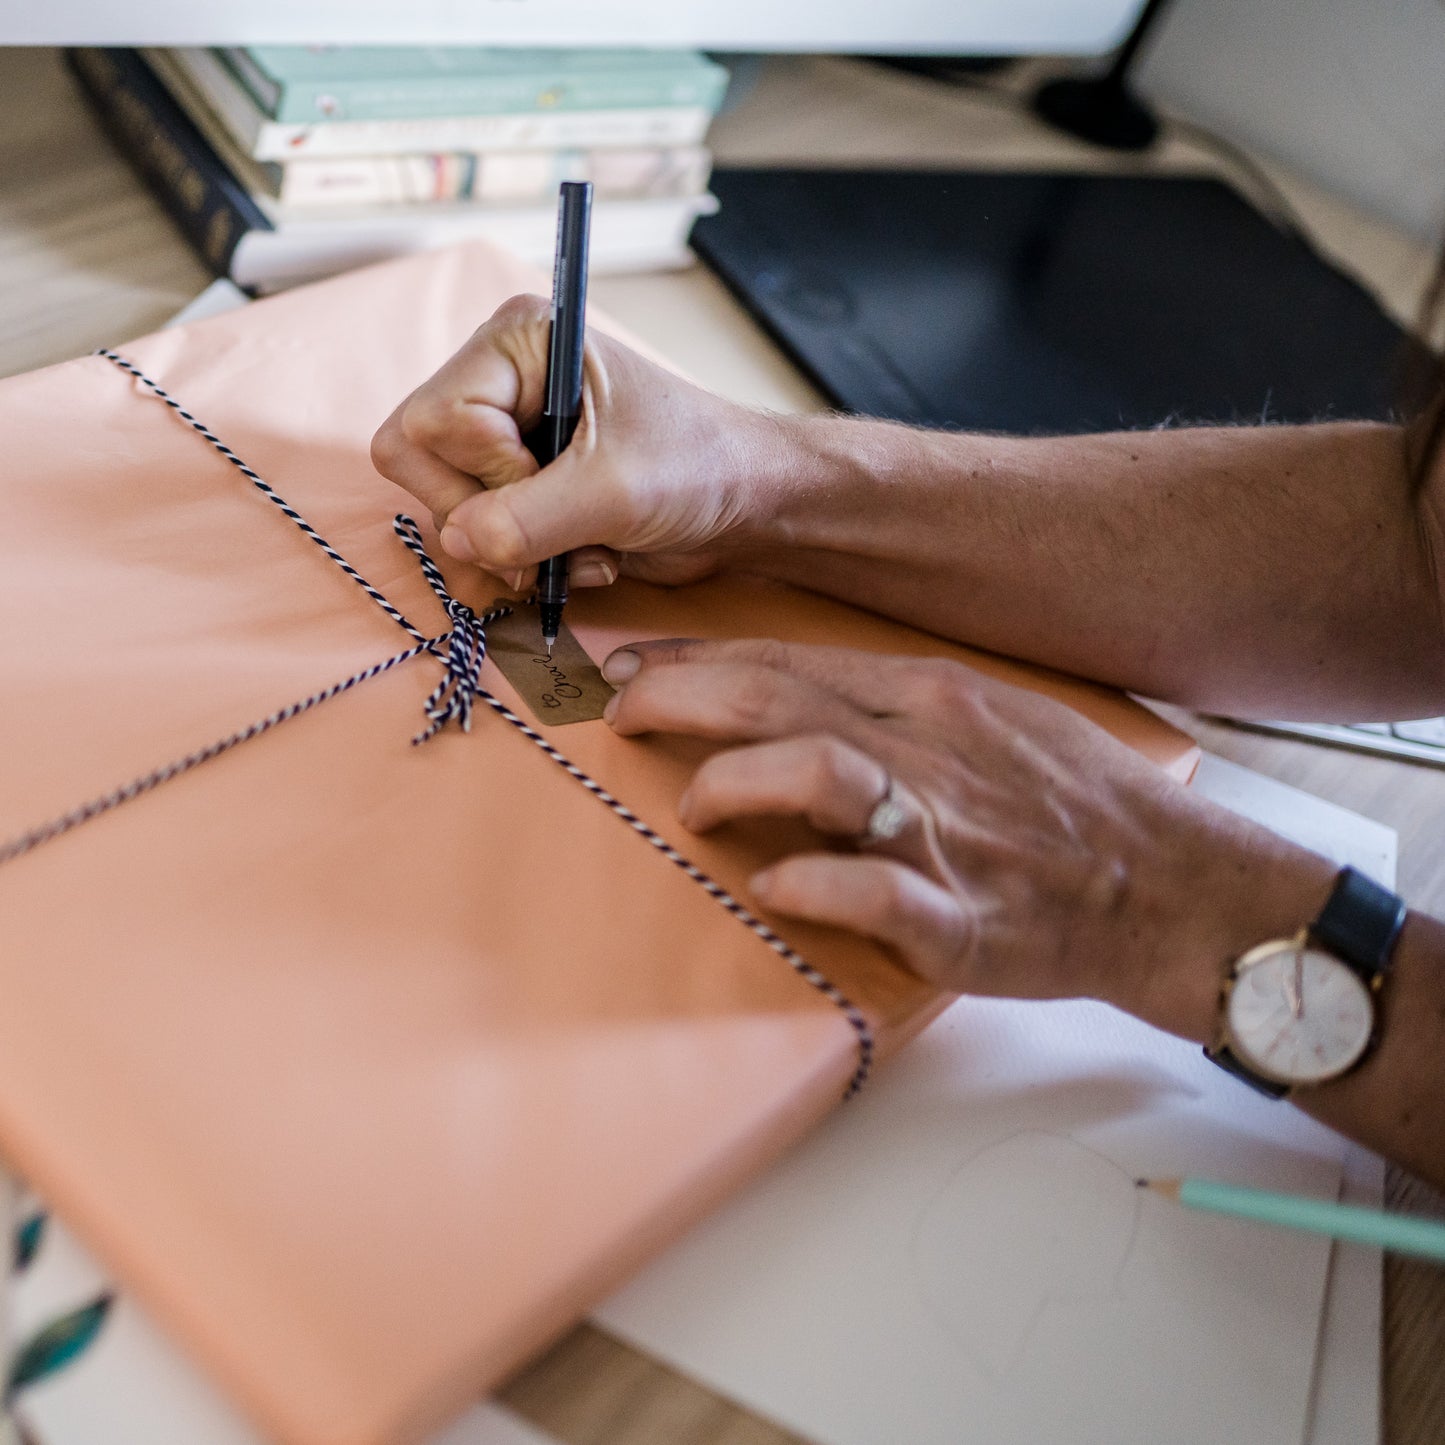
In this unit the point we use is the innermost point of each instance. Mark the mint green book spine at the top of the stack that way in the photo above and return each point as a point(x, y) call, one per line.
point(544, 92)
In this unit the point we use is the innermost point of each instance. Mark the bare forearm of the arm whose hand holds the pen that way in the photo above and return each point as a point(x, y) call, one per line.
point(1255, 570)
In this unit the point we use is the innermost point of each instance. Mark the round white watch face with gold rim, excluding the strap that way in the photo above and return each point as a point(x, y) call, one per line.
point(1298, 1015)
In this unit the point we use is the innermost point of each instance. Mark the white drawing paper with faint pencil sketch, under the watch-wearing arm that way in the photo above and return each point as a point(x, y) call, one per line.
point(962, 1255)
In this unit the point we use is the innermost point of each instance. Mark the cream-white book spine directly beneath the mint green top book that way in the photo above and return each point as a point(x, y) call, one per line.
point(664, 126)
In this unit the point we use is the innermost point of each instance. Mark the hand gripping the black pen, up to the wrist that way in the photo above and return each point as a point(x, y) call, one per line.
point(660, 480)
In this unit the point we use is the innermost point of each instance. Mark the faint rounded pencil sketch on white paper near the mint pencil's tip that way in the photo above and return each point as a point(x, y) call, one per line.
point(993, 1246)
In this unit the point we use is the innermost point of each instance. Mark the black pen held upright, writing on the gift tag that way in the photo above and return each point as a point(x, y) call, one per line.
point(563, 404)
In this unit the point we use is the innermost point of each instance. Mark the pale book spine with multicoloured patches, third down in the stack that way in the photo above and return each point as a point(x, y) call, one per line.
point(498, 178)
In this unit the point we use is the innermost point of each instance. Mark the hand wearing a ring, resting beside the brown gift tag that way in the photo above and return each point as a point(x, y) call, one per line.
point(1038, 858)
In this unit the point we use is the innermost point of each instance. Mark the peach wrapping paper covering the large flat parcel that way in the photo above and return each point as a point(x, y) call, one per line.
point(366, 1067)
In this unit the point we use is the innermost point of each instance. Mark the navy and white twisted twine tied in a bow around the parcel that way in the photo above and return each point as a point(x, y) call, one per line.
point(462, 654)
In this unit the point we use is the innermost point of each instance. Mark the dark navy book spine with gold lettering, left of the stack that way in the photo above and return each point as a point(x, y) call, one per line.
point(168, 152)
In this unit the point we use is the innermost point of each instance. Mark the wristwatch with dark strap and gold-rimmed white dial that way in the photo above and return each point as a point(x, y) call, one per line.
point(1303, 1011)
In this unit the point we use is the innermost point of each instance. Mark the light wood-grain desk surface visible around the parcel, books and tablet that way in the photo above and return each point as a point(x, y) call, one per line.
point(87, 258)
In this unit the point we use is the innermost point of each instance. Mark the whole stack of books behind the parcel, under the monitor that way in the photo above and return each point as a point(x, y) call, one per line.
point(287, 164)
